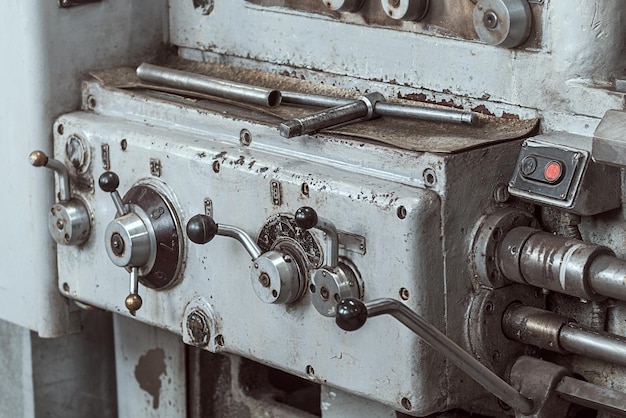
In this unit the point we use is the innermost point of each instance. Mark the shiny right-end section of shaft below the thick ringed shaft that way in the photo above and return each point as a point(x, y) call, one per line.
point(599, 345)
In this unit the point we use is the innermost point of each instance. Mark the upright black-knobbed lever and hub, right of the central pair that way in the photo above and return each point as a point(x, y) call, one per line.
point(334, 281)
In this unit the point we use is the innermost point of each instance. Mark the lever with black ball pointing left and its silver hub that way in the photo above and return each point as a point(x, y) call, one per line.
point(275, 275)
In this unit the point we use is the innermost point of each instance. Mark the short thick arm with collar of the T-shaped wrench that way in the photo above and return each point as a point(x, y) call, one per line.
point(360, 109)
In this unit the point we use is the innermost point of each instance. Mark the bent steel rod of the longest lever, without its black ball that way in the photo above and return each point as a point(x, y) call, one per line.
point(459, 357)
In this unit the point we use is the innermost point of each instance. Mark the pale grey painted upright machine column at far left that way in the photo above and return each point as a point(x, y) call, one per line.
point(40, 80)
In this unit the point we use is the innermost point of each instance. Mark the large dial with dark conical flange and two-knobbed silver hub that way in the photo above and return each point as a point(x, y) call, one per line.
point(144, 237)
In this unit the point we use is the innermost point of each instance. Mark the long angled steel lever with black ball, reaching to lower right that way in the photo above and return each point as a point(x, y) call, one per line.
point(352, 315)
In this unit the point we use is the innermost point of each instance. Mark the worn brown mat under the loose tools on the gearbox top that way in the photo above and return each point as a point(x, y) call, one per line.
point(400, 133)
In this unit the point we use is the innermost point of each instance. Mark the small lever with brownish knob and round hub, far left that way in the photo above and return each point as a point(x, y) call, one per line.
point(68, 220)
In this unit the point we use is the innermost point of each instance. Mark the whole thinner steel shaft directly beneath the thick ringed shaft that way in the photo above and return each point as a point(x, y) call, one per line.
point(554, 332)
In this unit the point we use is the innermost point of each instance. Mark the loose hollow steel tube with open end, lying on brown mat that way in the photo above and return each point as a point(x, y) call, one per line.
point(209, 85)
